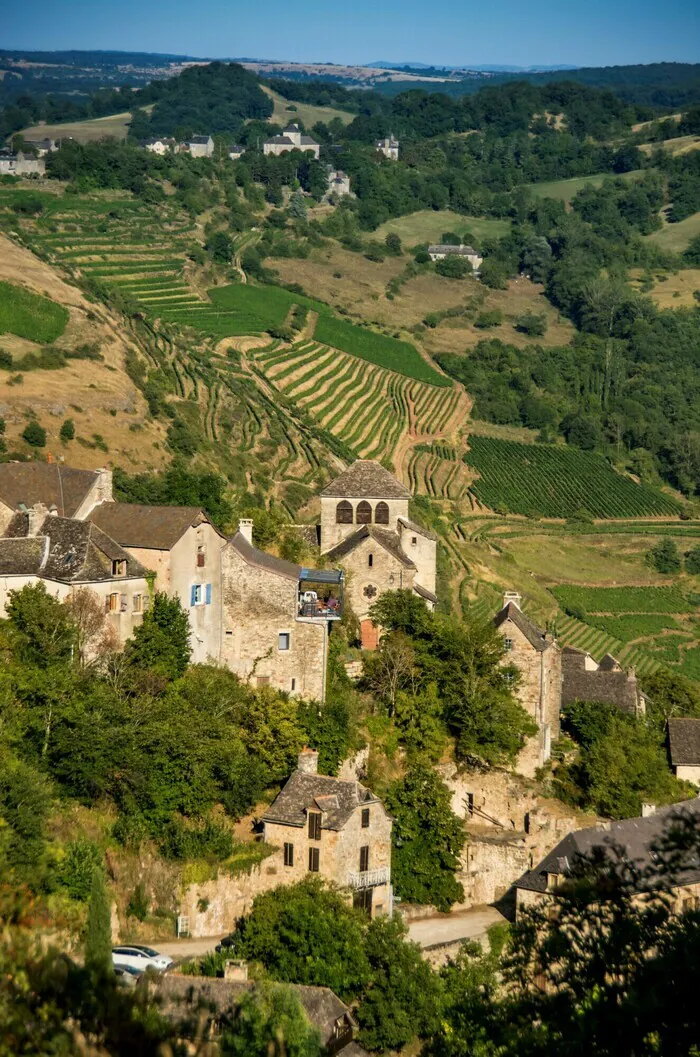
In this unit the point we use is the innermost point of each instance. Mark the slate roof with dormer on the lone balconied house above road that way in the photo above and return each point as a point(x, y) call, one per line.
point(336, 799)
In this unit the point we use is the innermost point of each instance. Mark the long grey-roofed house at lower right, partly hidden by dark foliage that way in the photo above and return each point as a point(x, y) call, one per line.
point(637, 837)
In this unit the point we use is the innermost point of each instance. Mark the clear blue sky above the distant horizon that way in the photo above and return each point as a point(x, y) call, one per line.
point(453, 32)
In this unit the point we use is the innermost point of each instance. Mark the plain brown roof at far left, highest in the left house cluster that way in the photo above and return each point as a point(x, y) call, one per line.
point(48, 484)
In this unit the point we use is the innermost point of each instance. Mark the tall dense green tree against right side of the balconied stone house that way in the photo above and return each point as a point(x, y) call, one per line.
point(428, 840)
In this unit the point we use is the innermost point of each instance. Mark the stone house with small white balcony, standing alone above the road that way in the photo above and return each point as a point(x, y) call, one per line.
point(337, 829)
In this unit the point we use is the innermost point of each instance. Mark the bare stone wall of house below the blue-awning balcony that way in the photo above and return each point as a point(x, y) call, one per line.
point(259, 606)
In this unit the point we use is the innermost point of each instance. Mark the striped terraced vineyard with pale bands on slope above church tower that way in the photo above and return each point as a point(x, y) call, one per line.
point(369, 409)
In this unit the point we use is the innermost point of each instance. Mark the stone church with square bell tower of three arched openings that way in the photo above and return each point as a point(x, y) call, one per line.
point(366, 529)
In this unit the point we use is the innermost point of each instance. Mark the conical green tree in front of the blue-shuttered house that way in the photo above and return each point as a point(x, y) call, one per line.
point(161, 643)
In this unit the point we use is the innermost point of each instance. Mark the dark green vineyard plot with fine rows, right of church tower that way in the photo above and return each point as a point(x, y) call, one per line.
point(557, 483)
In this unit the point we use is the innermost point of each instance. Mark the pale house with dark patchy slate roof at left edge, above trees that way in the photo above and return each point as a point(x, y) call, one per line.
point(65, 554)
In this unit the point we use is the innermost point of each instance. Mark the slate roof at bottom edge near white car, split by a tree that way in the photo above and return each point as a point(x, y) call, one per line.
point(321, 1005)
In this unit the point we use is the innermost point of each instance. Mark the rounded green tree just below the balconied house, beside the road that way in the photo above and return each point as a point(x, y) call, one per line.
point(307, 935)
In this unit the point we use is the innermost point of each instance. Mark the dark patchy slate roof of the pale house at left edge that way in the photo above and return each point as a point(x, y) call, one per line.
point(64, 550)
